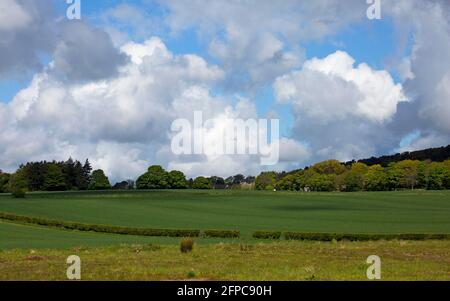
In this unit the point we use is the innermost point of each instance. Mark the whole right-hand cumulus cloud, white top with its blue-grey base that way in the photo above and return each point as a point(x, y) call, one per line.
point(340, 108)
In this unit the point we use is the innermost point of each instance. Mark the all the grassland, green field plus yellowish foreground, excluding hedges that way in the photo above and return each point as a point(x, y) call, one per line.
point(31, 252)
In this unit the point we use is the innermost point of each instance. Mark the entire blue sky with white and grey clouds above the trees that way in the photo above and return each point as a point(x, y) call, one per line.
point(108, 86)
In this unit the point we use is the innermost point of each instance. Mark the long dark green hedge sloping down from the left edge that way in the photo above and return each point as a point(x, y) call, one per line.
point(100, 228)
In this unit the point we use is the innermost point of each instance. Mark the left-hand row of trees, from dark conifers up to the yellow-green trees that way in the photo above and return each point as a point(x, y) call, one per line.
point(72, 175)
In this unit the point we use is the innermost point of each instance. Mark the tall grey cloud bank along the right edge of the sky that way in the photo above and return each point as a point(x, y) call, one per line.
point(427, 24)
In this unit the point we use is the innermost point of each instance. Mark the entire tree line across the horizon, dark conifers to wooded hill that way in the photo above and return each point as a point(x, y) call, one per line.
point(330, 175)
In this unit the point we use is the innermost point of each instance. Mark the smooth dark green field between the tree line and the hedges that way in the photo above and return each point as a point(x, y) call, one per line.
point(247, 211)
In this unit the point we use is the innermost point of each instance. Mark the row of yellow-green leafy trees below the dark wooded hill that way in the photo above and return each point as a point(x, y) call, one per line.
point(333, 176)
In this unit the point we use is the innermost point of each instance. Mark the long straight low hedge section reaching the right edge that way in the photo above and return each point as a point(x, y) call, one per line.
point(361, 237)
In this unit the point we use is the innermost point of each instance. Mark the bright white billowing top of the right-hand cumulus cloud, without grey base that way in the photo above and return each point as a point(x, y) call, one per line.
point(331, 88)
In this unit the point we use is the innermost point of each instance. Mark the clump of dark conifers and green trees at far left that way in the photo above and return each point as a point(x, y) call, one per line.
point(54, 176)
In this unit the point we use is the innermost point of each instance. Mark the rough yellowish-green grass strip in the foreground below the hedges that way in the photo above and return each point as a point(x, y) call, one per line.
point(401, 260)
